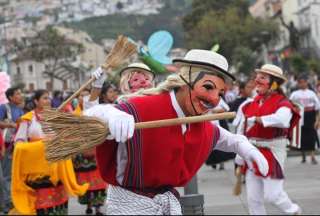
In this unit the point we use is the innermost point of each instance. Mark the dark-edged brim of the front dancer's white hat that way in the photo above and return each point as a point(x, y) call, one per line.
point(182, 62)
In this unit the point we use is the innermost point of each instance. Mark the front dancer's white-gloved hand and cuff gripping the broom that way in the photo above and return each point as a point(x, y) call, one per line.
point(120, 124)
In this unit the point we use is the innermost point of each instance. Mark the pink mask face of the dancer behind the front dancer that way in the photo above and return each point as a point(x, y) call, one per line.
point(140, 80)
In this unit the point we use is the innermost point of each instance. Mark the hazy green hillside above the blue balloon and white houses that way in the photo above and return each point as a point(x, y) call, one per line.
point(138, 27)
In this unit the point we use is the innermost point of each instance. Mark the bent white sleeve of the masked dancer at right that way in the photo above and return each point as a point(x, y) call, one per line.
point(280, 119)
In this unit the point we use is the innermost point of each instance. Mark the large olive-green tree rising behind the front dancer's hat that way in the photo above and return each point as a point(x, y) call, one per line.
point(229, 24)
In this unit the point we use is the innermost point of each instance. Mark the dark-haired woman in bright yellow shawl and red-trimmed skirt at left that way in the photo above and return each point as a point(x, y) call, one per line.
point(39, 187)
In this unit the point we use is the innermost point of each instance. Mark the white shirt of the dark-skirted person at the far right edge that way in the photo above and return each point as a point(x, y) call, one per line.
point(306, 98)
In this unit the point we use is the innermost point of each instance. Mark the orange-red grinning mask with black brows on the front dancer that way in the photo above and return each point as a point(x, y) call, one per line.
point(205, 94)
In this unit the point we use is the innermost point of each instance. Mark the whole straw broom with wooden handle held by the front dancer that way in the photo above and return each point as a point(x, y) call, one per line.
point(67, 134)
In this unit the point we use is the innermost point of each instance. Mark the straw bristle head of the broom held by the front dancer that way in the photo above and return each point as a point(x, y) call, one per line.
point(67, 134)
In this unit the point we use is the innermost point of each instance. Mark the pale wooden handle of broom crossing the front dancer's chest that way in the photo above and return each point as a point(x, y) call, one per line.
point(184, 120)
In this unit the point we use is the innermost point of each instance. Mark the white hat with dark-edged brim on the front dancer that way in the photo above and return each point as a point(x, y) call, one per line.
point(209, 60)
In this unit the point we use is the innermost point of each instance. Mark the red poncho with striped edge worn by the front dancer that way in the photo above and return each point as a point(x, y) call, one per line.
point(159, 157)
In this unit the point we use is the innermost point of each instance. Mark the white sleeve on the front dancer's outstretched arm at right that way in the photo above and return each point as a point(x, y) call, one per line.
point(236, 143)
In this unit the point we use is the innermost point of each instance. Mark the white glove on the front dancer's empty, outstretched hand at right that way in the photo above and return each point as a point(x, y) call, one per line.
point(256, 156)
